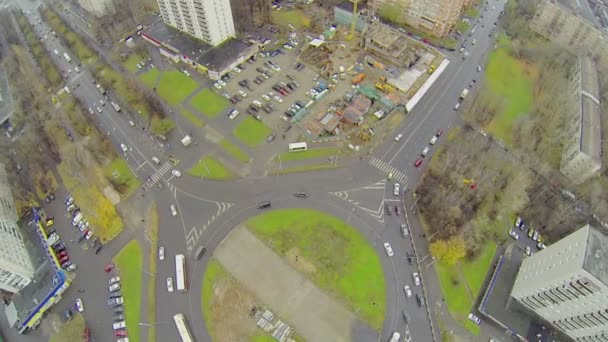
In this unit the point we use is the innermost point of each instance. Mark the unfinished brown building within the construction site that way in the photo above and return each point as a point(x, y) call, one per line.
point(388, 44)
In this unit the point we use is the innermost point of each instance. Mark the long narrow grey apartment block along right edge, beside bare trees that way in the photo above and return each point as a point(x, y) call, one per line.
point(581, 154)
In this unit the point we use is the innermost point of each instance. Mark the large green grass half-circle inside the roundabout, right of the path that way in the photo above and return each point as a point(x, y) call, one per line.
point(345, 264)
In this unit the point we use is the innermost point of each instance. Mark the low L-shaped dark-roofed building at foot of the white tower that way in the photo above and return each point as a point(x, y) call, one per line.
point(181, 47)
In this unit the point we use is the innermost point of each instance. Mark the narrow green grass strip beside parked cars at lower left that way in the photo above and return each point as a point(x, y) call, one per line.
point(130, 263)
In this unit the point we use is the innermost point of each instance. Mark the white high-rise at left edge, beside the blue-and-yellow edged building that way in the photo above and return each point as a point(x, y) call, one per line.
point(16, 269)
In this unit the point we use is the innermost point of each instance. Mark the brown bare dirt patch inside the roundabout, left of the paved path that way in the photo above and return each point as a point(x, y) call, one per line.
point(231, 310)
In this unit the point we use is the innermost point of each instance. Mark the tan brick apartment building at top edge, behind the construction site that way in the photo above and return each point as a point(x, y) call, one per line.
point(434, 16)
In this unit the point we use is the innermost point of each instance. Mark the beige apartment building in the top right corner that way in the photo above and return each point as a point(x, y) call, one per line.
point(572, 25)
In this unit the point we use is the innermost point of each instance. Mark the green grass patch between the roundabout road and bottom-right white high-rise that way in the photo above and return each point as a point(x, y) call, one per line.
point(452, 278)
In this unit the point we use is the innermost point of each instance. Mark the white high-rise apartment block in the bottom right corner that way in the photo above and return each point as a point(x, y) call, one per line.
point(566, 284)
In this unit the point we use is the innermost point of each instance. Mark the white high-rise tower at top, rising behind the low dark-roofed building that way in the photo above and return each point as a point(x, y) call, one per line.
point(208, 20)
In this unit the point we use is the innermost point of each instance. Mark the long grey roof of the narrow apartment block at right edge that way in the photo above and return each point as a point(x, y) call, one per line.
point(591, 131)
